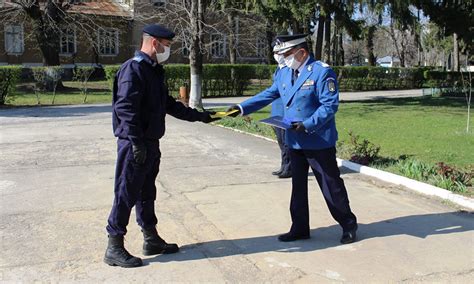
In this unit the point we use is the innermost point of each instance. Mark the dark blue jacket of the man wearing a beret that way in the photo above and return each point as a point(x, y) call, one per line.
point(141, 101)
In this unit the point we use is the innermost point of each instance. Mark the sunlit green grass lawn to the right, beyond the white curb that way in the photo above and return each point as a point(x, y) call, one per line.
point(428, 129)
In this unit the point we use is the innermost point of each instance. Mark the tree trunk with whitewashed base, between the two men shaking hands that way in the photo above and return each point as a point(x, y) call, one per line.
point(195, 54)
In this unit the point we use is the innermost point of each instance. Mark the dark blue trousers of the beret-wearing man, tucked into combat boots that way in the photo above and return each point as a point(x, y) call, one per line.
point(134, 186)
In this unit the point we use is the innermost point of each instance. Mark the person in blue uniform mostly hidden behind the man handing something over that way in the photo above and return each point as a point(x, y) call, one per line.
point(277, 110)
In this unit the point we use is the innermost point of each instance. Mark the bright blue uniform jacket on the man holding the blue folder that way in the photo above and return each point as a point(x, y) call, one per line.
point(313, 99)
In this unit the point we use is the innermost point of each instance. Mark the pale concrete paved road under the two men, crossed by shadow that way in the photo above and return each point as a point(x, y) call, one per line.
point(217, 199)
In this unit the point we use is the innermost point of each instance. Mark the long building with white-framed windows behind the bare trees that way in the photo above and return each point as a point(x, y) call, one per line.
point(108, 32)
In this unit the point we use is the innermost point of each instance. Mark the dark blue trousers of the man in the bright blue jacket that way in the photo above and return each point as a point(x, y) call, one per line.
point(324, 165)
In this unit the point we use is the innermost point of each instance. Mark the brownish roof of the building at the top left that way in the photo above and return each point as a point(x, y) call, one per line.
point(100, 7)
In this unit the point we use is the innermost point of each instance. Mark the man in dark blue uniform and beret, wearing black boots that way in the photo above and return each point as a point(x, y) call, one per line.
point(140, 104)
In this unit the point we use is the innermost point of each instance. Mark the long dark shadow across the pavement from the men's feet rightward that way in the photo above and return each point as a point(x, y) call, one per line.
point(419, 226)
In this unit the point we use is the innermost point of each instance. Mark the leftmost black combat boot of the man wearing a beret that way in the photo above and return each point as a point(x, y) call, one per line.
point(117, 255)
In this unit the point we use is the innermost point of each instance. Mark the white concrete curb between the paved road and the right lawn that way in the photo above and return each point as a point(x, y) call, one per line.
point(414, 185)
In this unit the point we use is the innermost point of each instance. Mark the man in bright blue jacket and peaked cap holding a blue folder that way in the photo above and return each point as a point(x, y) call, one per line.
point(310, 97)
